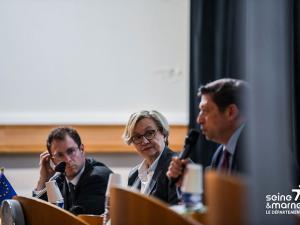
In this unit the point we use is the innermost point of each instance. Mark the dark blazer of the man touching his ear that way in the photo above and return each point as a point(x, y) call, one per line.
point(90, 190)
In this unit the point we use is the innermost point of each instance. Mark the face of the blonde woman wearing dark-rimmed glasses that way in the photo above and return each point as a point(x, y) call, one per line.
point(152, 141)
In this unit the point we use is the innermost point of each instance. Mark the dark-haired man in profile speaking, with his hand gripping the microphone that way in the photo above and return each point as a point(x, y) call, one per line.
point(222, 119)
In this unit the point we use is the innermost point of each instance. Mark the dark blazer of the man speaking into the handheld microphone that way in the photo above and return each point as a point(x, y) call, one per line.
point(238, 161)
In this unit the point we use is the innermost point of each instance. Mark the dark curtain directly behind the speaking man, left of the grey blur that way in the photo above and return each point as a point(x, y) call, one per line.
point(217, 43)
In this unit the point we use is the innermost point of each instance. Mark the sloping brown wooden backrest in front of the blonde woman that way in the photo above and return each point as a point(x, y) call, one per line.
point(132, 208)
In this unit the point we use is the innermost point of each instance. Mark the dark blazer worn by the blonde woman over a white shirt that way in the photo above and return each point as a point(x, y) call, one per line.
point(159, 185)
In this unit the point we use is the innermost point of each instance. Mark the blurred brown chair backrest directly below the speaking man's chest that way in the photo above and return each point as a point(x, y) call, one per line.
point(226, 199)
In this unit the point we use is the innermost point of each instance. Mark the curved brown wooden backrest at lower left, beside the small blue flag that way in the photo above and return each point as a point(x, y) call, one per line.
point(39, 212)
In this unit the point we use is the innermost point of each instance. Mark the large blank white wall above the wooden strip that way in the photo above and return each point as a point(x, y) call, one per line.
point(92, 62)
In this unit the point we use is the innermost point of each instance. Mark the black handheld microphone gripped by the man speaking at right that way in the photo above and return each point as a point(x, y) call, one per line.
point(190, 141)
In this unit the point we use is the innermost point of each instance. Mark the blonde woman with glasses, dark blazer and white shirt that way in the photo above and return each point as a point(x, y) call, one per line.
point(148, 131)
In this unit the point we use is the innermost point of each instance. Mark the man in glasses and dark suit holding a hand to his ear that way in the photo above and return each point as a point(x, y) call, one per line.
point(85, 181)
